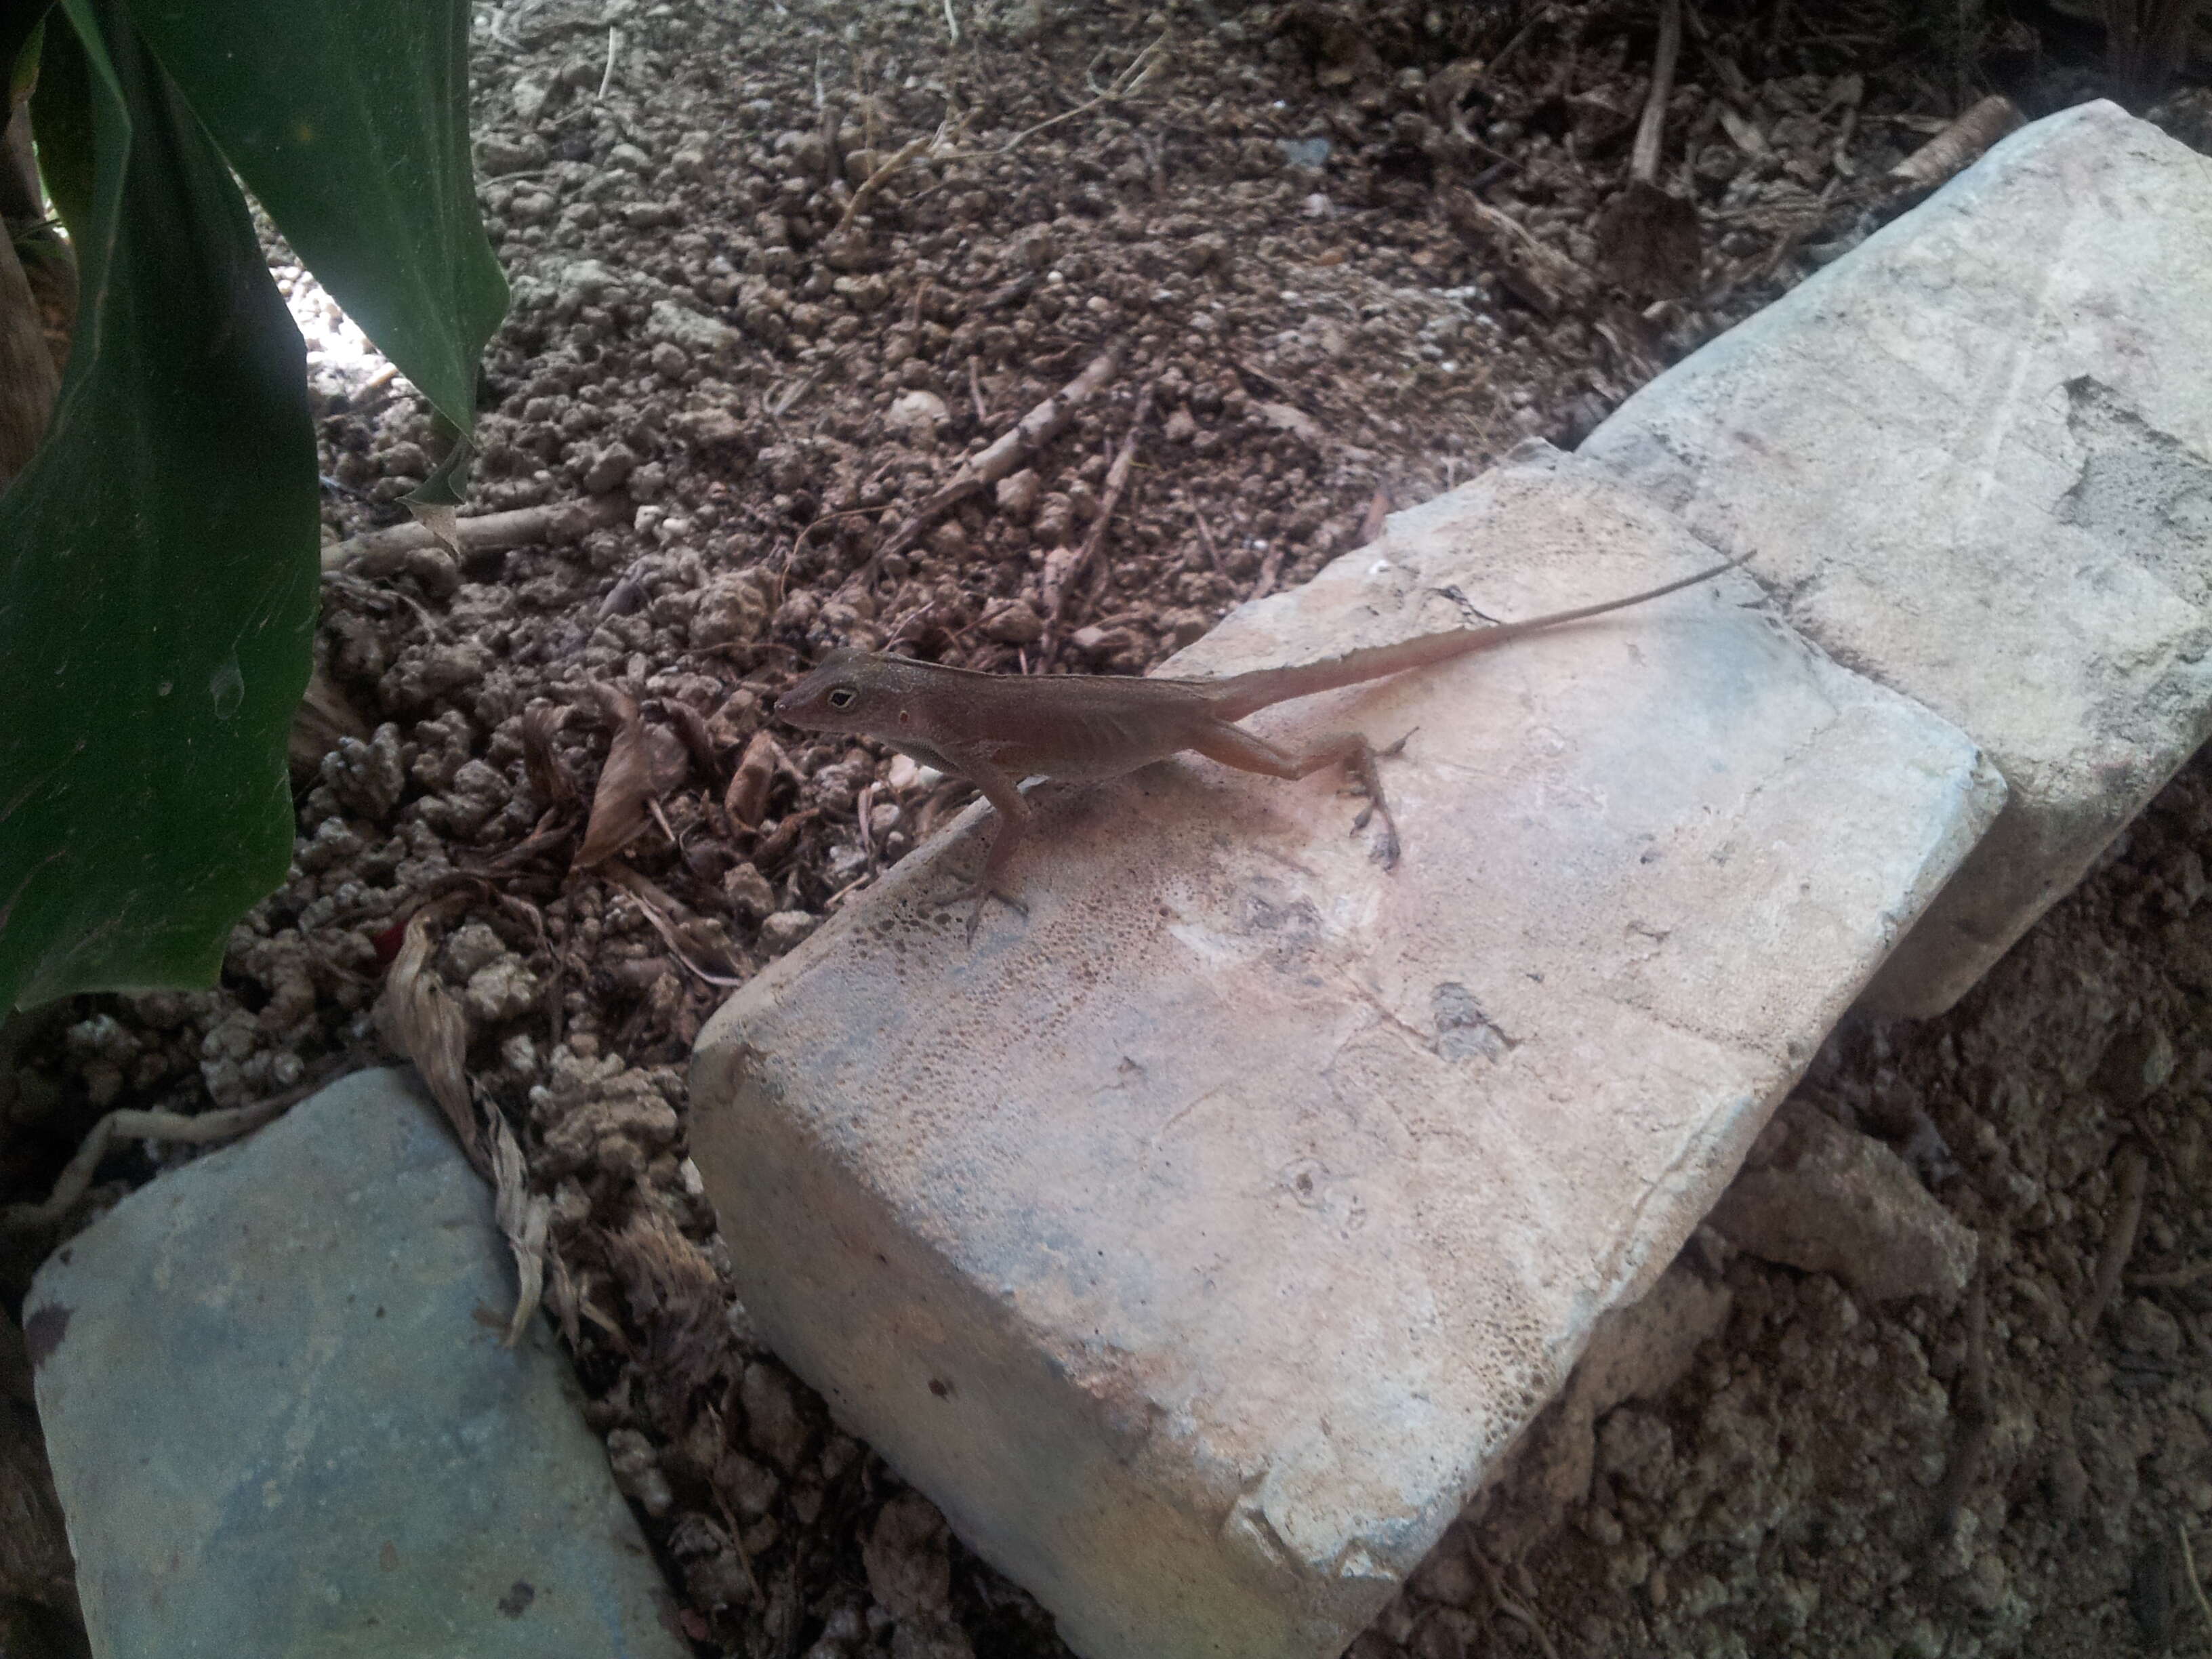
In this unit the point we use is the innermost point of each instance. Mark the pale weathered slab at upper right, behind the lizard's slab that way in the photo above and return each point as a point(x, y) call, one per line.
point(1974, 461)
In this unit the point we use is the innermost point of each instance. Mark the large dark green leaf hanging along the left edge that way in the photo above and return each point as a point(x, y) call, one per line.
point(158, 559)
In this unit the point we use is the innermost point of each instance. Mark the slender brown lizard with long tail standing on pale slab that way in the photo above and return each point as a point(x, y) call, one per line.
point(1001, 729)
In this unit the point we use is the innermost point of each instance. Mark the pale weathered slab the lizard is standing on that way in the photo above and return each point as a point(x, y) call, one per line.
point(1200, 1242)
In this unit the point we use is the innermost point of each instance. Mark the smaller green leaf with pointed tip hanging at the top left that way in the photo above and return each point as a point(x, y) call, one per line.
point(351, 125)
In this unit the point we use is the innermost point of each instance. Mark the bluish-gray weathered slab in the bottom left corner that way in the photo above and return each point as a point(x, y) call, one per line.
point(282, 1421)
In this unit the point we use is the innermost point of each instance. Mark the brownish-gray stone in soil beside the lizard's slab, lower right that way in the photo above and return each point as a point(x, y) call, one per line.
point(1822, 1198)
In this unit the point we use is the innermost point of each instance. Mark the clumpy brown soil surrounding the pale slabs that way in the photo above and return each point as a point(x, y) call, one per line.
point(778, 271)
